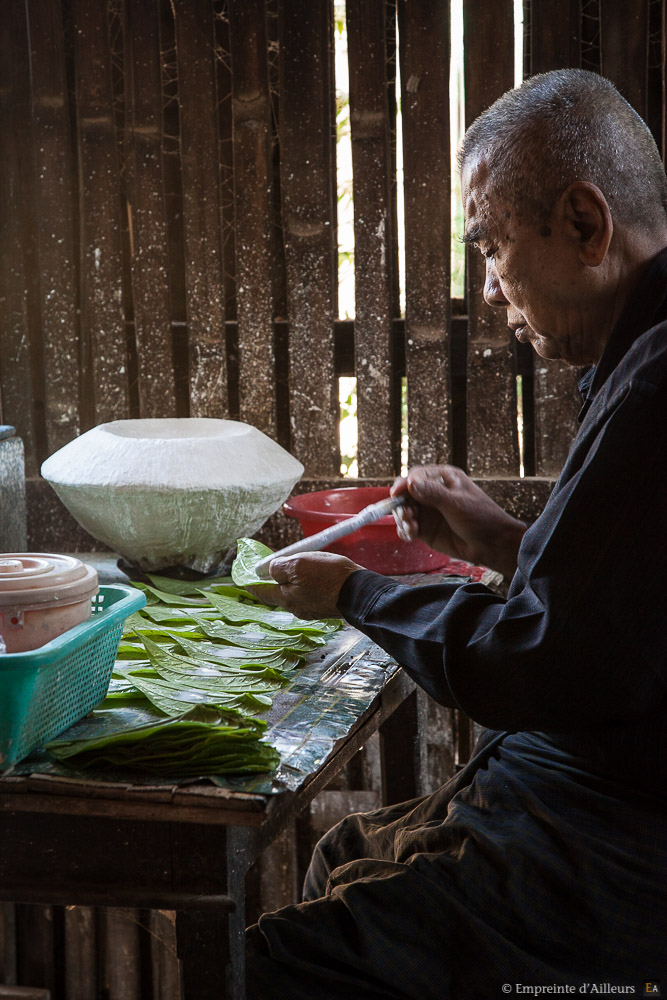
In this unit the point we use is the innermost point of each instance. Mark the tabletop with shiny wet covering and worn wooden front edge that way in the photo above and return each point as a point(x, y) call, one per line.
point(327, 711)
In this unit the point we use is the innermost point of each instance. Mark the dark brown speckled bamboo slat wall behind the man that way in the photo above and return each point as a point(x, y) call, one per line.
point(169, 248)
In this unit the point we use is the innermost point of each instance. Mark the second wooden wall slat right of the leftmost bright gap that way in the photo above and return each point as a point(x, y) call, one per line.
point(424, 47)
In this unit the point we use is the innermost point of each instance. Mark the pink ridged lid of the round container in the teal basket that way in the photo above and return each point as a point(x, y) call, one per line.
point(37, 578)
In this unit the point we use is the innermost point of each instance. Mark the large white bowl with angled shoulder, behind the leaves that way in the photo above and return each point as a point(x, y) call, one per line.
point(172, 492)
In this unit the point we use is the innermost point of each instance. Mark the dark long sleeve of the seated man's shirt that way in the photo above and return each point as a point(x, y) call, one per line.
point(581, 638)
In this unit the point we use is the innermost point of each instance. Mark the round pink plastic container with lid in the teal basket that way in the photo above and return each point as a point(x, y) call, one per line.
point(41, 596)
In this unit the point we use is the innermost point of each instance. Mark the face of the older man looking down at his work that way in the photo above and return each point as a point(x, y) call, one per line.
point(532, 271)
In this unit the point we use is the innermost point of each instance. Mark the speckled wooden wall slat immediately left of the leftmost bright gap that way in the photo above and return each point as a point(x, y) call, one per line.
point(309, 221)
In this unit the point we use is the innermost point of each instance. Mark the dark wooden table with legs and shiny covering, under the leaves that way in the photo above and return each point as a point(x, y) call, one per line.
point(75, 841)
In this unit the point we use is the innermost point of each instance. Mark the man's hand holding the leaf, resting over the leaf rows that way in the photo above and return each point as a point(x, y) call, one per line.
point(309, 584)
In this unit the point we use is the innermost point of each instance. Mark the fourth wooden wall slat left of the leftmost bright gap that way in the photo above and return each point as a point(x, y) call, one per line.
point(146, 211)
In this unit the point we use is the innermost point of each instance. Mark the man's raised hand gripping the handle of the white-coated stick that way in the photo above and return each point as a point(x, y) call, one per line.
point(453, 515)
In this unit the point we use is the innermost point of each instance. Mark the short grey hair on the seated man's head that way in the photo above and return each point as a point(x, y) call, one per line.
point(565, 126)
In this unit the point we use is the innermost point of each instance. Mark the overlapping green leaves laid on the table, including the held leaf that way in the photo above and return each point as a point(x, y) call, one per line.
point(197, 670)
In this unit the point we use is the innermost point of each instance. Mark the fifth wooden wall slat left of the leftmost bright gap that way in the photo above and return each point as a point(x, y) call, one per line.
point(101, 286)
